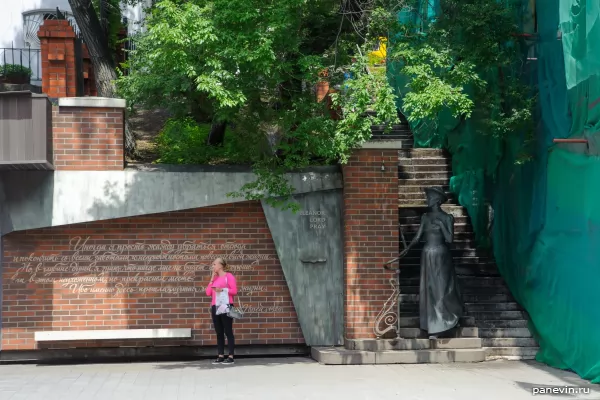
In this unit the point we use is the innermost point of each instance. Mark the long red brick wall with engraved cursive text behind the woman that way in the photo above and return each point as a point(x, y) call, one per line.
point(50, 293)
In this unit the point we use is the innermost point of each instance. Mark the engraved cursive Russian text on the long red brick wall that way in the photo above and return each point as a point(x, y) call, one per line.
point(141, 268)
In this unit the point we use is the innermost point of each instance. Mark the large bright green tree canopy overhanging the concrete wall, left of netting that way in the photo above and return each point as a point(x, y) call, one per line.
point(255, 65)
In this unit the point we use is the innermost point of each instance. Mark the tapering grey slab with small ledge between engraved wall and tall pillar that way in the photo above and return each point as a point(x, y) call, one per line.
point(310, 249)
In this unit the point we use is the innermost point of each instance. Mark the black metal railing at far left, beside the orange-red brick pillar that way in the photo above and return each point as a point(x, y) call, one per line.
point(20, 66)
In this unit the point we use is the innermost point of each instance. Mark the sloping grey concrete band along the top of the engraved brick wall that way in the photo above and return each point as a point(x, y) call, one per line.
point(37, 199)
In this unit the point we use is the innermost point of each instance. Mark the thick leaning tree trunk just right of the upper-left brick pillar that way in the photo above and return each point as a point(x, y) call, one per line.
point(101, 57)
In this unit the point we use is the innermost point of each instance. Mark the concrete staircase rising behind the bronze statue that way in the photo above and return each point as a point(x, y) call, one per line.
point(501, 323)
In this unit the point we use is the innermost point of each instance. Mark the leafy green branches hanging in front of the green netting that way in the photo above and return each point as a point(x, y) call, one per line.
point(469, 58)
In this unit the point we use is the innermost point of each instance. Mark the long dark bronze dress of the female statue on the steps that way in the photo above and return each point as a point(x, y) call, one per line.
point(440, 301)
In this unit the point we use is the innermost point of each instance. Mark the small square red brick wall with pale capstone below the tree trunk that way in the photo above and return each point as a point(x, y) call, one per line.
point(88, 138)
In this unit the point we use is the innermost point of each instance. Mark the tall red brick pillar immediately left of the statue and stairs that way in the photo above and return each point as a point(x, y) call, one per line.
point(371, 235)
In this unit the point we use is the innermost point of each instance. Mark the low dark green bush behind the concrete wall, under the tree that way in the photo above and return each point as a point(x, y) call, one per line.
point(184, 141)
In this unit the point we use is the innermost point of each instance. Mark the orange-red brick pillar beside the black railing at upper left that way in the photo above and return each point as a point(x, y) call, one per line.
point(58, 58)
